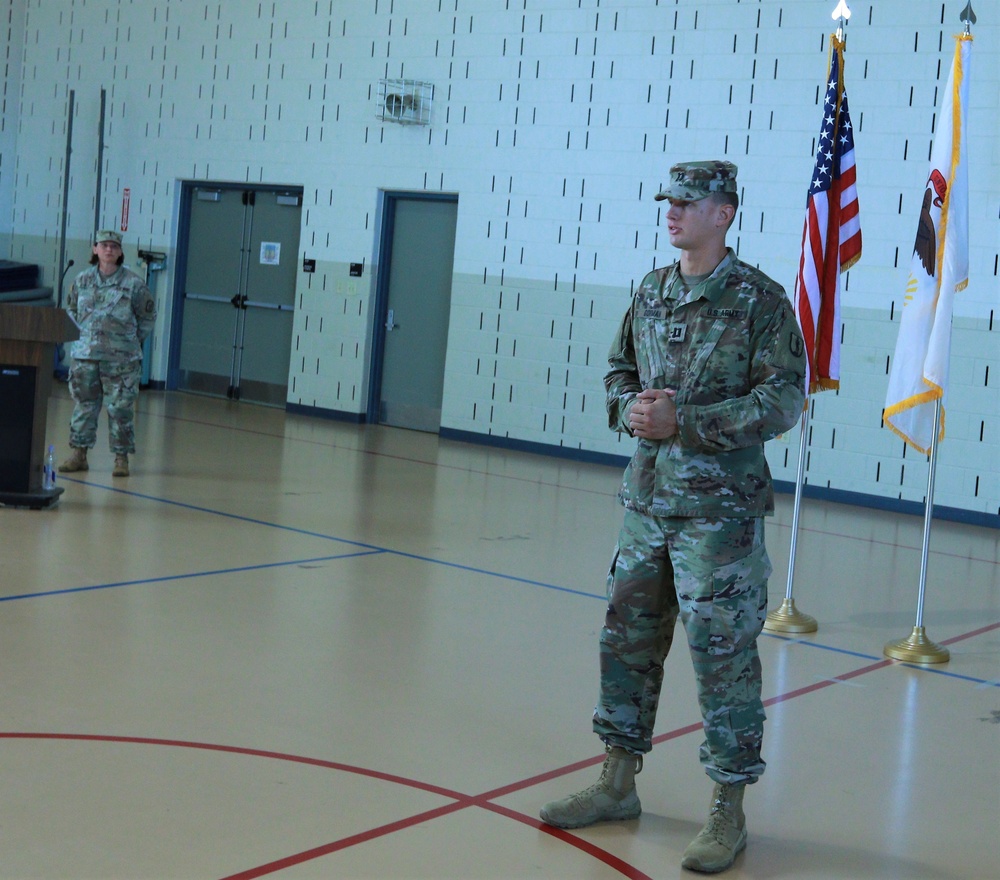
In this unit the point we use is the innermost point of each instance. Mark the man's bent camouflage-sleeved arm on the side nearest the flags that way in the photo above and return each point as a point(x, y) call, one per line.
point(775, 396)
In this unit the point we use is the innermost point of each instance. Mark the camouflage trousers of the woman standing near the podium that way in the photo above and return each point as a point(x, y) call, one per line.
point(94, 383)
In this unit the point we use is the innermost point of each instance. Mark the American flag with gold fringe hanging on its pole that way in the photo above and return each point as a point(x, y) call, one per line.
point(831, 234)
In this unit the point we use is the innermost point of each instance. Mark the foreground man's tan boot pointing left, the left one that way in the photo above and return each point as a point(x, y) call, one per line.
point(612, 797)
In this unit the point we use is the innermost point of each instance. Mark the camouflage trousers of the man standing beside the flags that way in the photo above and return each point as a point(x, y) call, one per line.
point(712, 573)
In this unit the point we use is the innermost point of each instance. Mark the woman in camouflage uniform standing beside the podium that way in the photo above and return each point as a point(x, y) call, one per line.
point(115, 312)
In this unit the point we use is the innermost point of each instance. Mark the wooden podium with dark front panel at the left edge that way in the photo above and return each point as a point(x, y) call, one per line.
point(28, 337)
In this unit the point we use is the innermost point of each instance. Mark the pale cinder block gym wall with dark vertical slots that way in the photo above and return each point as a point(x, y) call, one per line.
point(555, 122)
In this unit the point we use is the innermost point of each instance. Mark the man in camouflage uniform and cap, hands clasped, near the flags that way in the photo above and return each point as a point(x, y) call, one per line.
point(707, 365)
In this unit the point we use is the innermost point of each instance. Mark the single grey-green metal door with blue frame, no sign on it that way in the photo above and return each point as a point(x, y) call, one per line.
point(418, 242)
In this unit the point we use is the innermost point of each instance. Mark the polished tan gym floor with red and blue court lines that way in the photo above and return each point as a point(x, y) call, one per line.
point(296, 648)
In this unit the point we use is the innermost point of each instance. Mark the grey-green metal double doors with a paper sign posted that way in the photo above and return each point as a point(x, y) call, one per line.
point(239, 293)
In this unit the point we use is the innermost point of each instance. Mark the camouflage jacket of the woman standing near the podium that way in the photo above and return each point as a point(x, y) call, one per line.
point(115, 314)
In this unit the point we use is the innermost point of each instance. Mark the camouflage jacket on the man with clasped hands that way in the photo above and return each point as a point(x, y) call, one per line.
point(732, 350)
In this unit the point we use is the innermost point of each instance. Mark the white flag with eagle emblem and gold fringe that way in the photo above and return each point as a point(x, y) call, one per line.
point(939, 267)
